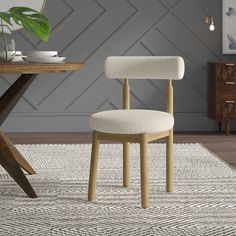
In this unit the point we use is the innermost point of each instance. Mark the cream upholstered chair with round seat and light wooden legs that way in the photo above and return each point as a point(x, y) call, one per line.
point(141, 126)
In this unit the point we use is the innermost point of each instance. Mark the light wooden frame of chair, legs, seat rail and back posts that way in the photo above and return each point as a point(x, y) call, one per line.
point(143, 139)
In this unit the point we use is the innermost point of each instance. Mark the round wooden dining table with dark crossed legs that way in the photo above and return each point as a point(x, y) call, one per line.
point(10, 158)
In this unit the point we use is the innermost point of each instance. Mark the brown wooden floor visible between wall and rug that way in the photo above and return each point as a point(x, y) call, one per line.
point(223, 146)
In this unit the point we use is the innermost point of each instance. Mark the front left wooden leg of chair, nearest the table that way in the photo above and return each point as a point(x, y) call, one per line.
point(93, 168)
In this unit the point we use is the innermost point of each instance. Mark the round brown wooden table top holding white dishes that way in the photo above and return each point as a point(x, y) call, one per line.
point(35, 68)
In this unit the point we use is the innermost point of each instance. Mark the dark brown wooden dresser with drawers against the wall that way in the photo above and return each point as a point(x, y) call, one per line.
point(222, 92)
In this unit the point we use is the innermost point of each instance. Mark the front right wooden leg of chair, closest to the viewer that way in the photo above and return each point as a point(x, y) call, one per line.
point(144, 171)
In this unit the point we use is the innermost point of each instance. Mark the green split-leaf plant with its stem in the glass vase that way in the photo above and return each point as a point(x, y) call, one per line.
point(31, 20)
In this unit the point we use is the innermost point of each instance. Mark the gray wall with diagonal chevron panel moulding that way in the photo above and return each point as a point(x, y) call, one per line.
point(90, 30)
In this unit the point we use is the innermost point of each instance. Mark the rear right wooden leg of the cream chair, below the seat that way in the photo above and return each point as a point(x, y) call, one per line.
point(169, 162)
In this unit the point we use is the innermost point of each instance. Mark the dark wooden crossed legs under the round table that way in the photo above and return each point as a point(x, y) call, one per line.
point(10, 158)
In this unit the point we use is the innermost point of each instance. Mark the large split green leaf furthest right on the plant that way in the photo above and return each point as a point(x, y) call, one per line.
point(33, 21)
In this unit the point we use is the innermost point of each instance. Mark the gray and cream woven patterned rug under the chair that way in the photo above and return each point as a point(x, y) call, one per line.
point(203, 201)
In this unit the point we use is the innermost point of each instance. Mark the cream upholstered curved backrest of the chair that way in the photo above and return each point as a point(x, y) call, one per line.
point(145, 67)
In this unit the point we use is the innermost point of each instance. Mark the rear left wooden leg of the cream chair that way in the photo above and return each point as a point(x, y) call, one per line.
point(126, 165)
